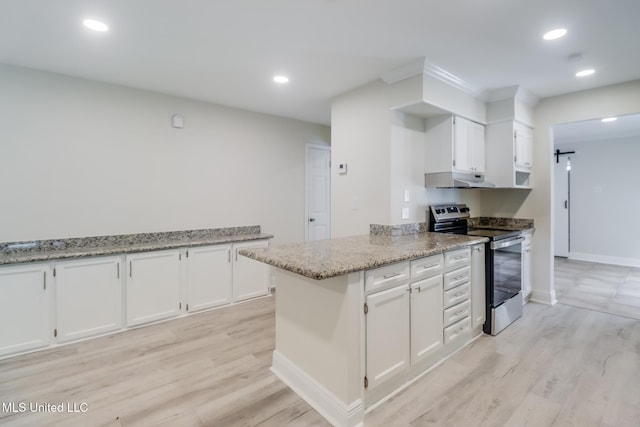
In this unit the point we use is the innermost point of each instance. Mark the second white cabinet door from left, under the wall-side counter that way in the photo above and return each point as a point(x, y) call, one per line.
point(88, 297)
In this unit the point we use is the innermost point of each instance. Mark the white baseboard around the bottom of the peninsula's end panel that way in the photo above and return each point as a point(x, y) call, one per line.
point(322, 400)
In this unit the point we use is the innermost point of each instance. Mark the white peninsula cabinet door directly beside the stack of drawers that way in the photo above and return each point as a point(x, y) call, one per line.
point(426, 318)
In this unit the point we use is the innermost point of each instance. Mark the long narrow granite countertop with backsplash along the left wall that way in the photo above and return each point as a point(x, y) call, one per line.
point(59, 249)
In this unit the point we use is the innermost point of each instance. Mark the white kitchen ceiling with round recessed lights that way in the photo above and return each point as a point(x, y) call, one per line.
point(227, 51)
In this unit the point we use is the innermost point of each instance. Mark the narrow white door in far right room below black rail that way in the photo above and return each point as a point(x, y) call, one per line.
point(562, 207)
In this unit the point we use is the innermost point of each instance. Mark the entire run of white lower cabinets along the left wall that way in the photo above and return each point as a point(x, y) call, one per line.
point(44, 304)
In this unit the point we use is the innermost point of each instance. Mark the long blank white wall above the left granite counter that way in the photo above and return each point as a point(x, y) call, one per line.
point(82, 158)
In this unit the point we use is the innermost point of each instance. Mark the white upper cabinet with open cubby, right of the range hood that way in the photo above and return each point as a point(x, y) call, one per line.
point(509, 151)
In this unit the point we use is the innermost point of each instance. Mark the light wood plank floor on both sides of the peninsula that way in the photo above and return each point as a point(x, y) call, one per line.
point(556, 366)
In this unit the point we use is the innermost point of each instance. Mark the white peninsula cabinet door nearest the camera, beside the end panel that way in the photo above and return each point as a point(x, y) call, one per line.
point(387, 335)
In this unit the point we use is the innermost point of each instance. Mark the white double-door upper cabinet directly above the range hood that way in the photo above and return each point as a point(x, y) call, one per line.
point(454, 144)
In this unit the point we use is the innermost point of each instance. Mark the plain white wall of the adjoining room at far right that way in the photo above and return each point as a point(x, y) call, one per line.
point(604, 195)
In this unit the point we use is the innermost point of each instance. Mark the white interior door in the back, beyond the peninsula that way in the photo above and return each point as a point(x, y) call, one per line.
point(318, 212)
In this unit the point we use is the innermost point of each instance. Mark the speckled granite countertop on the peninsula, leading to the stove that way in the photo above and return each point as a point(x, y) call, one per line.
point(334, 257)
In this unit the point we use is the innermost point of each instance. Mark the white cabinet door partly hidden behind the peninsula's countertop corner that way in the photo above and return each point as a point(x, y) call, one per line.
point(250, 277)
